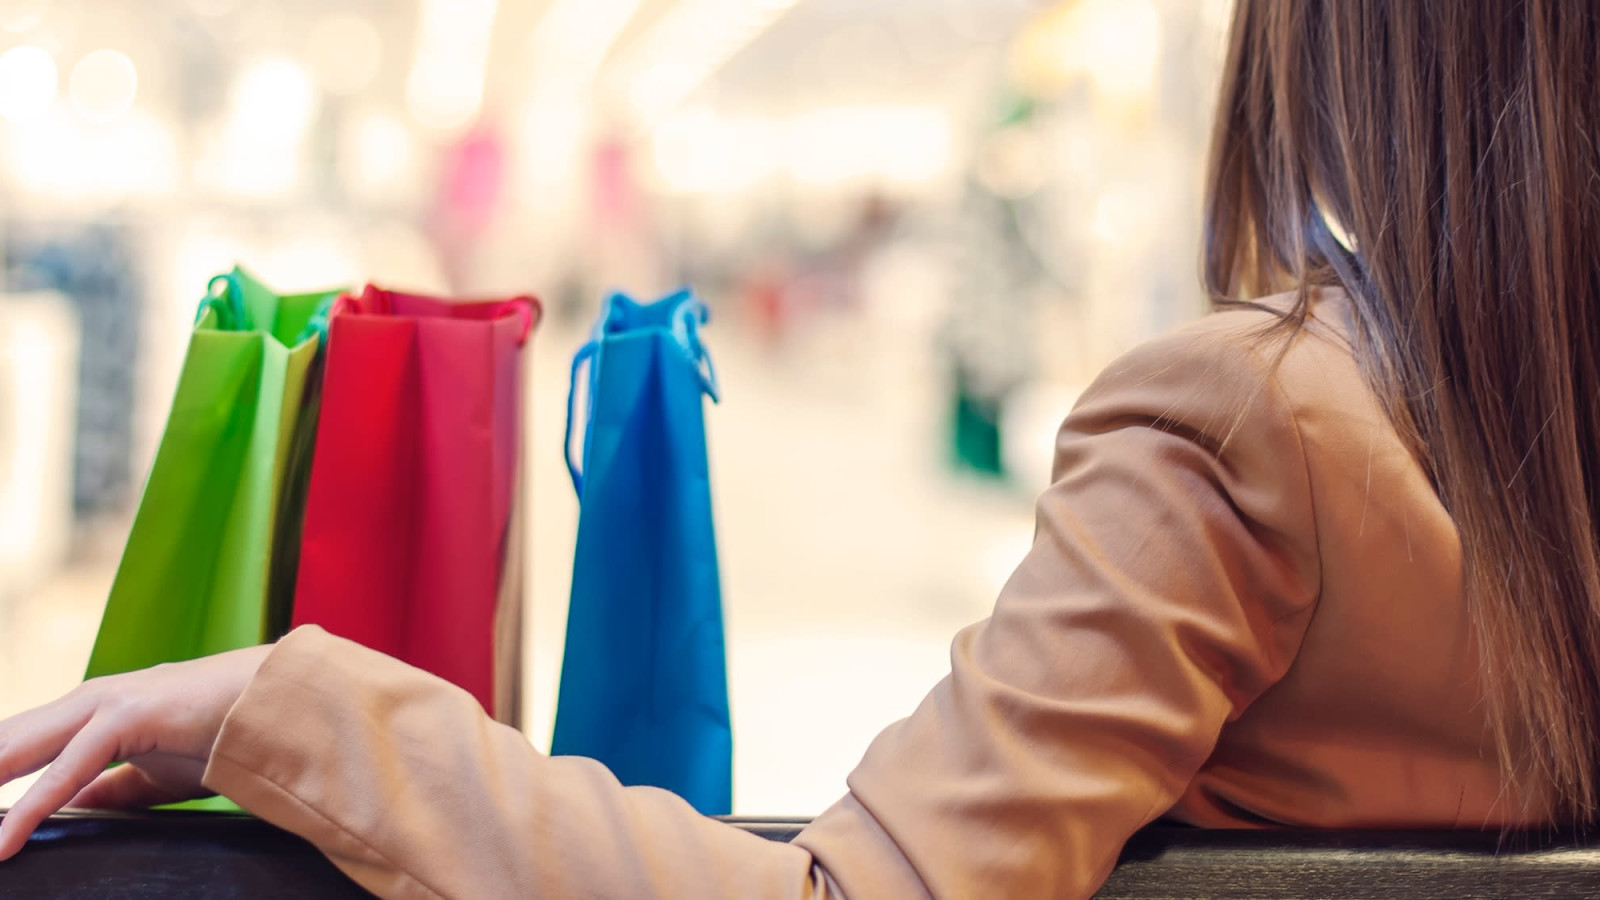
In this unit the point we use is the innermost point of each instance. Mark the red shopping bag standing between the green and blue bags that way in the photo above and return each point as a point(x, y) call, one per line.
point(410, 542)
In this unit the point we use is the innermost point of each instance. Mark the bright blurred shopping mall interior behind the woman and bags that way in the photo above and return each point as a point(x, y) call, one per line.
point(922, 225)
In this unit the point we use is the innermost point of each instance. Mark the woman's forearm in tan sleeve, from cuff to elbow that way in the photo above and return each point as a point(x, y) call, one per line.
point(414, 792)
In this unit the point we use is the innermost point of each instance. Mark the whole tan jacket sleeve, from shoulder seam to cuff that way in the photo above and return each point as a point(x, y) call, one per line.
point(1174, 574)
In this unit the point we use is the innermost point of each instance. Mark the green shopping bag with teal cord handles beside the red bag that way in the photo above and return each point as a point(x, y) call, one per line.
point(210, 561)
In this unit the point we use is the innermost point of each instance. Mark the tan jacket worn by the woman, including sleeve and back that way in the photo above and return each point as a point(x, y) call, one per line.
point(1242, 608)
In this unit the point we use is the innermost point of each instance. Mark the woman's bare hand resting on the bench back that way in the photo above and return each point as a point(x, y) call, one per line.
point(162, 721)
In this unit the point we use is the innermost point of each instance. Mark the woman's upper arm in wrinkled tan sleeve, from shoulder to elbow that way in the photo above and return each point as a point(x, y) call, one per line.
point(1172, 579)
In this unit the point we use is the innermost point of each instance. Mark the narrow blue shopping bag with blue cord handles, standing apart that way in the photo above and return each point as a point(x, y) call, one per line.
point(644, 681)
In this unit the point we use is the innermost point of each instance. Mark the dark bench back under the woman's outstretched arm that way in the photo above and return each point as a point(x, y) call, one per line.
point(201, 856)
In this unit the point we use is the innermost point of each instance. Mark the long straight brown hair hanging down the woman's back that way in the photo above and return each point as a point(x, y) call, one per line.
point(1455, 142)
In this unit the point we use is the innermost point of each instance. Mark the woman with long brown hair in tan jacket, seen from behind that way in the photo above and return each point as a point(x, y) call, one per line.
point(1327, 558)
